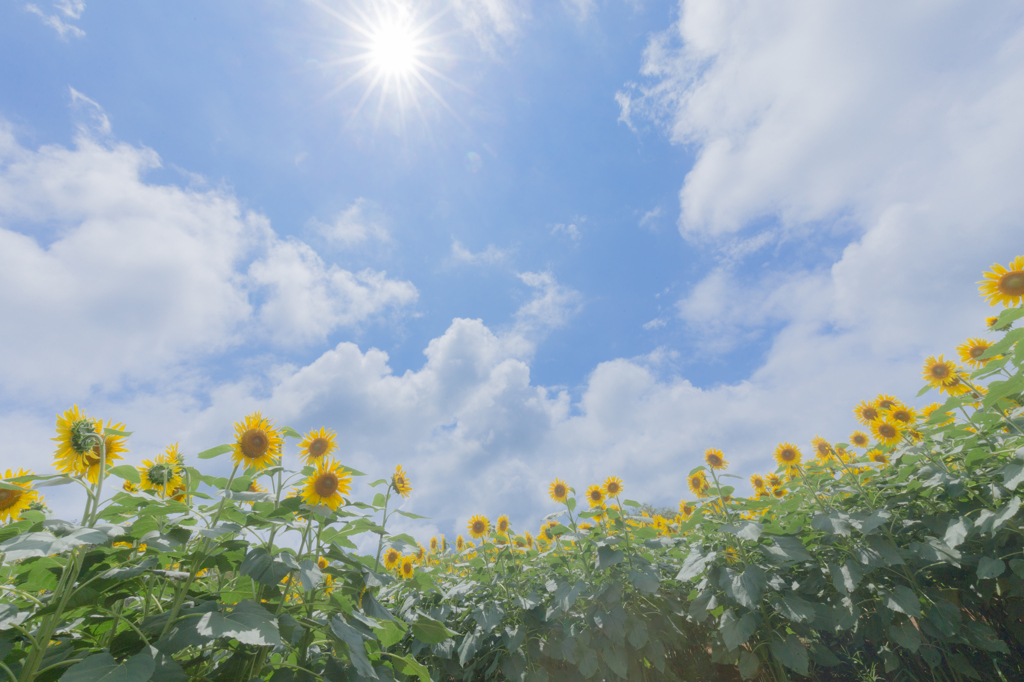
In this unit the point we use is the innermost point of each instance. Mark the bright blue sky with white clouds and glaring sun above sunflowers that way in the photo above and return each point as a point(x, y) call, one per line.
point(529, 240)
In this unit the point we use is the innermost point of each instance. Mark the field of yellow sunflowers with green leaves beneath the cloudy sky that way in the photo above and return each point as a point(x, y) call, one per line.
point(894, 553)
